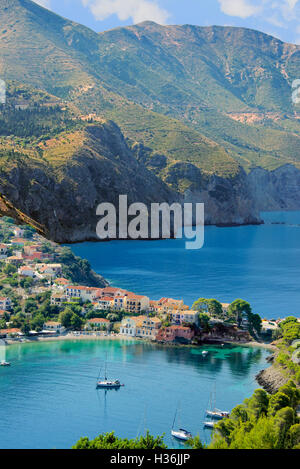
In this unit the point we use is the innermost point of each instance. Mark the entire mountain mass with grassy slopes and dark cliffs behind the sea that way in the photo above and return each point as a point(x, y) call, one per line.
point(166, 113)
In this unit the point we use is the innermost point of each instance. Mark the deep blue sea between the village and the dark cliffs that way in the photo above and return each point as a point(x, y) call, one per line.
point(260, 264)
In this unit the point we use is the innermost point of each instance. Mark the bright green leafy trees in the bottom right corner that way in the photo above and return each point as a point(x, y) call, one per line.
point(262, 422)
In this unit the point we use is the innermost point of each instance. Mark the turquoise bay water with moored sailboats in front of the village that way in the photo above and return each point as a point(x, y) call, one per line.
point(49, 400)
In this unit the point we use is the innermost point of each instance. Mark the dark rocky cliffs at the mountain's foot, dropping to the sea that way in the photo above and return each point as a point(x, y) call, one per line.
point(62, 197)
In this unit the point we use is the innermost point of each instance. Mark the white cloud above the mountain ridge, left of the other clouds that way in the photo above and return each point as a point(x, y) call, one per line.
point(138, 10)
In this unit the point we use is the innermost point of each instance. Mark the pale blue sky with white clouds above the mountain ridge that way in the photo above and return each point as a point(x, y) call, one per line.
point(279, 18)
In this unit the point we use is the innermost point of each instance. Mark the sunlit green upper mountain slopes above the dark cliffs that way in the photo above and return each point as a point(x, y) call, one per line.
point(214, 96)
